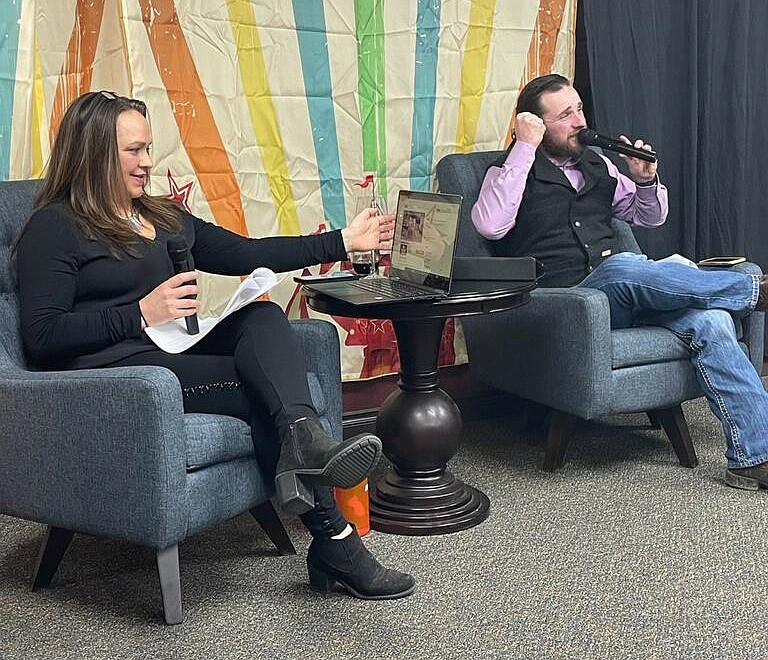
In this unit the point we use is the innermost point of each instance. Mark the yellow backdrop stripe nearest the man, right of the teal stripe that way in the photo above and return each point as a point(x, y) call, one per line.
point(473, 71)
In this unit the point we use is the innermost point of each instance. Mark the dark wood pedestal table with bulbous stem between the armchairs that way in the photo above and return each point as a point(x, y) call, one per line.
point(419, 424)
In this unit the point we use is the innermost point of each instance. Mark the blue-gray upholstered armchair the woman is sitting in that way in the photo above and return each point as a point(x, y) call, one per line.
point(110, 452)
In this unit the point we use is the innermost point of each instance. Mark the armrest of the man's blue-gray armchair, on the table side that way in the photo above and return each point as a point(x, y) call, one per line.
point(561, 335)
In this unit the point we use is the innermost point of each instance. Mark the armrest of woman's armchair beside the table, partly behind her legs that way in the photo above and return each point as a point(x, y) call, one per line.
point(320, 343)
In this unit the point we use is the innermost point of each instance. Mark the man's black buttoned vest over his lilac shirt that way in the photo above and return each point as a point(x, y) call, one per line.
point(568, 232)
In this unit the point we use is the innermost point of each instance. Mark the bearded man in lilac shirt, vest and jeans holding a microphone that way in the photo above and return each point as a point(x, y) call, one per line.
point(554, 199)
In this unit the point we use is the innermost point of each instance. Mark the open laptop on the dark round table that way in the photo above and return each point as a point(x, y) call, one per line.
point(422, 254)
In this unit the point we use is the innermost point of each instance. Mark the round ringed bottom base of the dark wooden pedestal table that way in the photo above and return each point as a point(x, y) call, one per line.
point(421, 505)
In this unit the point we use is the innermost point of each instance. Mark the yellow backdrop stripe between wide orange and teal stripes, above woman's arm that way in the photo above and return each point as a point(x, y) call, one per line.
point(253, 72)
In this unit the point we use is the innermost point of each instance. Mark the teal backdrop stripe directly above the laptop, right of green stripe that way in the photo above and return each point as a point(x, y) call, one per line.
point(424, 92)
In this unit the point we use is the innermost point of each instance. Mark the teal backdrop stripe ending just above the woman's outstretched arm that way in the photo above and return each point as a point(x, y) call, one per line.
point(316, 68)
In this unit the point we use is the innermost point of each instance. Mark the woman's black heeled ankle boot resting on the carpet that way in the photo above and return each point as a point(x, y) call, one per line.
point(349, 563)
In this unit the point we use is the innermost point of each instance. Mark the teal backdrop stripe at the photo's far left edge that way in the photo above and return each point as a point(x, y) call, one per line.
point(10, 16)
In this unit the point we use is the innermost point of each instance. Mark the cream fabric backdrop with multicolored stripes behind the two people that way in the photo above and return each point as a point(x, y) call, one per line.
point(265, 114)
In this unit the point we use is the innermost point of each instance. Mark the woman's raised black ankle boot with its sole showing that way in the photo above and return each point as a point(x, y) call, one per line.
point(309, 454)
